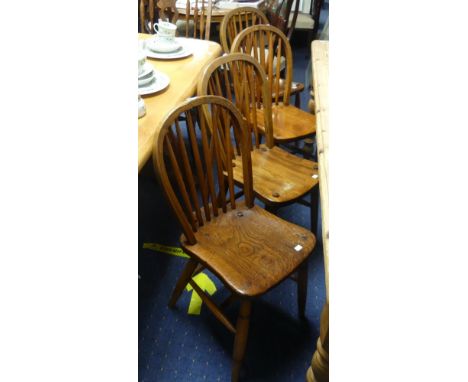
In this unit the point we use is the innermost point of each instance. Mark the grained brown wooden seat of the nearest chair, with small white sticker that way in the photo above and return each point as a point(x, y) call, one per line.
point(250, 249)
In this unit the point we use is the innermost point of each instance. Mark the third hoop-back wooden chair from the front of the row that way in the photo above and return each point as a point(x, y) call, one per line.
point(289, 122)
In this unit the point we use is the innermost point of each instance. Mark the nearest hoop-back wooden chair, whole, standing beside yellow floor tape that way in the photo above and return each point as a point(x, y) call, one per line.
point(249, 249)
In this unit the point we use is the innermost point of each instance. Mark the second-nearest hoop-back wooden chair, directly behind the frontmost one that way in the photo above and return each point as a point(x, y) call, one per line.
point(280, 178)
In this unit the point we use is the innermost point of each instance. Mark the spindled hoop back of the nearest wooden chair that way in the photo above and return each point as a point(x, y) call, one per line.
point(190, 160)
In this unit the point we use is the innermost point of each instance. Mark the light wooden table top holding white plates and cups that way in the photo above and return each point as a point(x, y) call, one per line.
point(184, 74)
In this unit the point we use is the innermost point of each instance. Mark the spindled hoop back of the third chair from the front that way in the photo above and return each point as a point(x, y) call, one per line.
point(253, 41)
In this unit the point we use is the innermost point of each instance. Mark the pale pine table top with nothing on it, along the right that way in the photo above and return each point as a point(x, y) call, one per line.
point(320, 75)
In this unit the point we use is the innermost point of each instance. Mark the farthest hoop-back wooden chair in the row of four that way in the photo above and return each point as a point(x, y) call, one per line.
point(237, 20)
